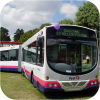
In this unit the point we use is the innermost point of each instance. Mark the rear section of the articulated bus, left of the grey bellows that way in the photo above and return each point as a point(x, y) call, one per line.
point(9, 58)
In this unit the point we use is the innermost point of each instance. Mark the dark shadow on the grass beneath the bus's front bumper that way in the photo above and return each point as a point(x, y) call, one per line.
point(70, 95)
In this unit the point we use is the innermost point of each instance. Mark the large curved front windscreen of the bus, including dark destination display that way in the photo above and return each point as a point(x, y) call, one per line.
point(68, 55)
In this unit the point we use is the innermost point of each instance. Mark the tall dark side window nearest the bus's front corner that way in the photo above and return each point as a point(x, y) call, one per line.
point(40, 52)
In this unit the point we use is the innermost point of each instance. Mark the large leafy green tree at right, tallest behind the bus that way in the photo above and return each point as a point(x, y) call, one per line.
point(89, 16)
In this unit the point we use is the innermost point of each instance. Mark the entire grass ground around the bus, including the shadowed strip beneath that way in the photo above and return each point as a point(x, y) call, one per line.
point(16, 87)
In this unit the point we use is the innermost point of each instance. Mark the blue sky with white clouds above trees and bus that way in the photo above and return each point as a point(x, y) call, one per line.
point(30, 14)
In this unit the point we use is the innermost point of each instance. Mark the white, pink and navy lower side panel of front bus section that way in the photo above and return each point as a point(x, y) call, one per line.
point(33, 71)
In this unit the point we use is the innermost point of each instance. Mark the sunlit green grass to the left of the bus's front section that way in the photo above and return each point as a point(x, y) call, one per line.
point(16, 87)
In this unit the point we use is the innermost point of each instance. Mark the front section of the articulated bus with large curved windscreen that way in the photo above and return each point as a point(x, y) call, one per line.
point(58, 59)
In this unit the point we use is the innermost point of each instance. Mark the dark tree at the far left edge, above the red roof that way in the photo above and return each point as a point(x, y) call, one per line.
point(4, 35)
